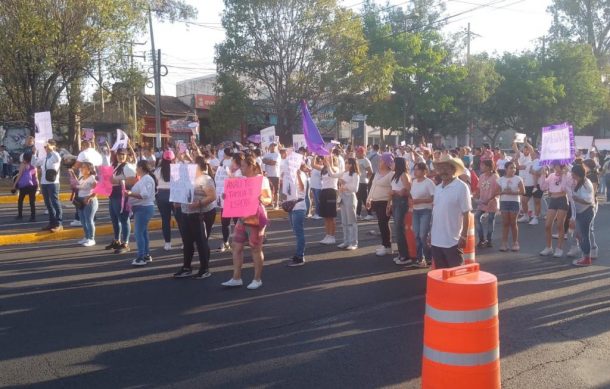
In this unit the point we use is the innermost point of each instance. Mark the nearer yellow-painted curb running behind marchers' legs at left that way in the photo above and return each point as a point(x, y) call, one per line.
point(100, 230)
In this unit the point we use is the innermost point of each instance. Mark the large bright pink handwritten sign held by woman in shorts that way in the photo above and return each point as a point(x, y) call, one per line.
point(241, 196)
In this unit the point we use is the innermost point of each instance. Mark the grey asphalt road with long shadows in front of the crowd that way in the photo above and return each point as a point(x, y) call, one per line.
point(83, 318)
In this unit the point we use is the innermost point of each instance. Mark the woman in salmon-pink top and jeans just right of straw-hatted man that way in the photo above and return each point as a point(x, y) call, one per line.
point(487, 196)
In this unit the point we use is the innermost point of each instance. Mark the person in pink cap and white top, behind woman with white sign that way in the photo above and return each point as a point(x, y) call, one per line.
point(166, 207)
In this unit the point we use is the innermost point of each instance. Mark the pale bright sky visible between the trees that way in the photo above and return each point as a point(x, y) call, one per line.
point(503, 26)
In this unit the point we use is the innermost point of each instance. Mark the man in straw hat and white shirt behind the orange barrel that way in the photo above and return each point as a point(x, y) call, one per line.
point(449, 213)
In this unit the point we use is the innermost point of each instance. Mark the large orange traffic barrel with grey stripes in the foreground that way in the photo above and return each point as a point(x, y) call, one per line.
point(461, 331)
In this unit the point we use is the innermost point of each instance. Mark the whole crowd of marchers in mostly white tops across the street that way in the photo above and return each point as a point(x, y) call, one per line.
point(437, 188)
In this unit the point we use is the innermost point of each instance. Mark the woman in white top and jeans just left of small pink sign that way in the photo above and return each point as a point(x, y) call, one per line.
point(86, 203)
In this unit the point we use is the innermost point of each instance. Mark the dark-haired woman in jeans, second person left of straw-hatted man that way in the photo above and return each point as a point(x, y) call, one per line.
point(399, 206)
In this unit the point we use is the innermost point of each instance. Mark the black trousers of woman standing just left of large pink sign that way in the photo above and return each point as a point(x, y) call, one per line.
point(194, 233)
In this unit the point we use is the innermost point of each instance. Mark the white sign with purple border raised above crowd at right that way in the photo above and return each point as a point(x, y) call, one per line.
point(557, 144)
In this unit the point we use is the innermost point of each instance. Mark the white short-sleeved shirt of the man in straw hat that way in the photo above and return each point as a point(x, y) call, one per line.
point(450, 203)
